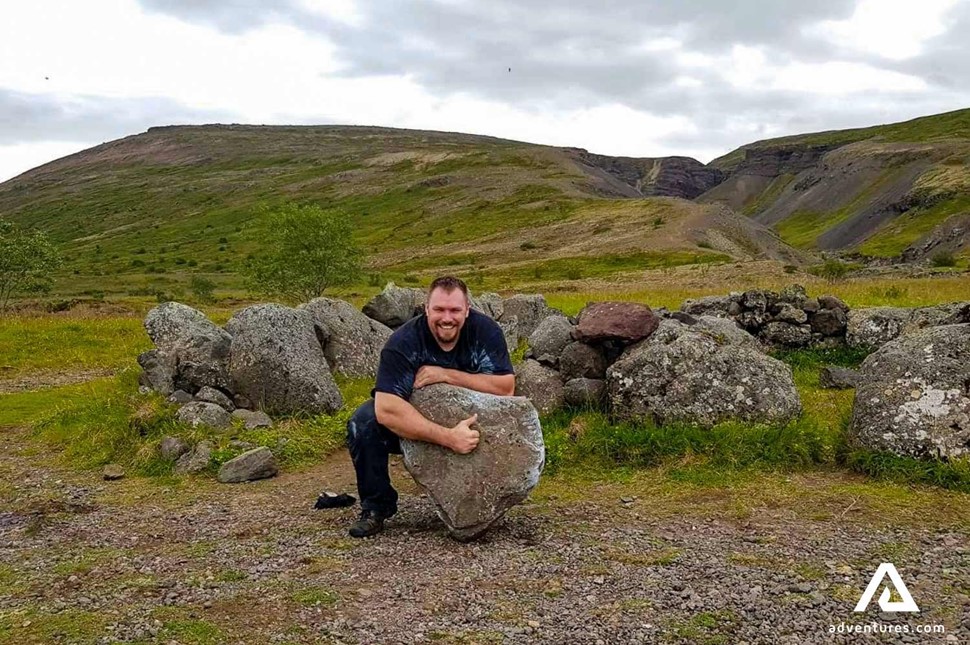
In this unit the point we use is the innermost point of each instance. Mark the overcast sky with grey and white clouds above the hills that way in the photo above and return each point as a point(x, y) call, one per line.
point(623, 77)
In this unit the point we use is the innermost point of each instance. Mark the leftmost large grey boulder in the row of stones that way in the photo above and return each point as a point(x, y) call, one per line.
point(196, 347)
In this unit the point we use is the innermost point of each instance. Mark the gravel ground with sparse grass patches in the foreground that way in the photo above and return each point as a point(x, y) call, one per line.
point(638, 558)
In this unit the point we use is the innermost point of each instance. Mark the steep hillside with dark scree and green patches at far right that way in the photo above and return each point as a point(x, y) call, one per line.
point(886, 191)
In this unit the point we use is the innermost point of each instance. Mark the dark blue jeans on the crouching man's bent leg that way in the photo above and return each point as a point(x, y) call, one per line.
point(370, 443)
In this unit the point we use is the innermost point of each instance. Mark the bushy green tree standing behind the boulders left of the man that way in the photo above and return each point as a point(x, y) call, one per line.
point(305, 251)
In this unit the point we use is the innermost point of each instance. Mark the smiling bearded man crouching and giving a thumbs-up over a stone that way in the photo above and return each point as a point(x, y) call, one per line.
point(448, 343)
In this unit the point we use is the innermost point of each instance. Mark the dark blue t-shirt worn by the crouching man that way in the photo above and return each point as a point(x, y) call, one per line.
point(480, 349)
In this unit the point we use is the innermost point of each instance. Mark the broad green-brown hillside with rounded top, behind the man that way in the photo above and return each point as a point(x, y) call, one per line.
point(145, 212)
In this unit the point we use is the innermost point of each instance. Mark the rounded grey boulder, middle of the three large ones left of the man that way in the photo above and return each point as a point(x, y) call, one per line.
point(277, 362)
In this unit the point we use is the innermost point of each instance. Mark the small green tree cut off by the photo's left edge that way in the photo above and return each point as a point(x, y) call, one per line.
point(27, 259)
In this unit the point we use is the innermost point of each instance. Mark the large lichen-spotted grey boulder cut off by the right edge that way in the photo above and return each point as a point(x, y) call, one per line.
point(913, 397)
